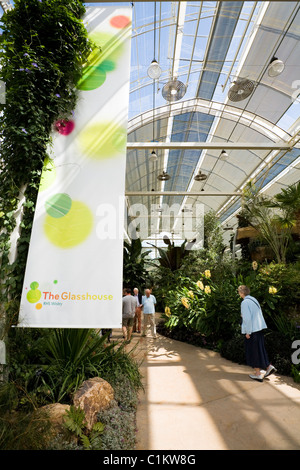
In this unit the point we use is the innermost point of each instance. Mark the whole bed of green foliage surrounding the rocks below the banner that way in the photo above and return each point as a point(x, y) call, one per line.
point(48, 366)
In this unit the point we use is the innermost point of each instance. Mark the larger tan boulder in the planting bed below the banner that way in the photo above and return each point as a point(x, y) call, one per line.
point(93, 396)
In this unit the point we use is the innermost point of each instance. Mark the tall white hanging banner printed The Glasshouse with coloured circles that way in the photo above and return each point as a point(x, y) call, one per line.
point(73, 276)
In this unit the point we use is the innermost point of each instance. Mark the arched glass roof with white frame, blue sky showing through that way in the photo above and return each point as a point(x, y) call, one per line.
point(209, 46)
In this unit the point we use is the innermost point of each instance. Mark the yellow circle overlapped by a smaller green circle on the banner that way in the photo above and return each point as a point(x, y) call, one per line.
point(71, 229)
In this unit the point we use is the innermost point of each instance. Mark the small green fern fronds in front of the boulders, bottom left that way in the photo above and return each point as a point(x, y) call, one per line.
point(76, 424)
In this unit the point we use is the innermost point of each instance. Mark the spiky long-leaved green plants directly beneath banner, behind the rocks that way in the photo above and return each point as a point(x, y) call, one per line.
point(48, 366)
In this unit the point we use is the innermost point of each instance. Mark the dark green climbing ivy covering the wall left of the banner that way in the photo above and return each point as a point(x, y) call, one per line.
point(44, 46)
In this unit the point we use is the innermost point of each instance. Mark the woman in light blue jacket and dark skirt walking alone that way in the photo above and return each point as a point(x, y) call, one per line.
point(253, 323)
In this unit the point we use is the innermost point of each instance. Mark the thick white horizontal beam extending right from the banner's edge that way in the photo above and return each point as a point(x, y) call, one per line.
point(210, 145)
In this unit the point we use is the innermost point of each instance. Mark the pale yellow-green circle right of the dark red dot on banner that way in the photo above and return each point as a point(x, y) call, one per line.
point(103, 140)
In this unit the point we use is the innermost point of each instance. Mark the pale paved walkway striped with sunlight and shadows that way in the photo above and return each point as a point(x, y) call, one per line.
point(196, 400)
